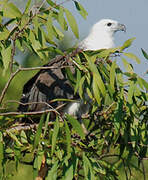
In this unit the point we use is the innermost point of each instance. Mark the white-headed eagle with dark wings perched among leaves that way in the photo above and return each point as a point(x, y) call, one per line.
point(49, 84)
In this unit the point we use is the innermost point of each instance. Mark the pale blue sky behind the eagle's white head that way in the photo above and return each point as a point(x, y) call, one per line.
point(132, 13)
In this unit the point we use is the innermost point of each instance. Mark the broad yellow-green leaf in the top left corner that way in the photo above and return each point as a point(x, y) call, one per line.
point(11, 11)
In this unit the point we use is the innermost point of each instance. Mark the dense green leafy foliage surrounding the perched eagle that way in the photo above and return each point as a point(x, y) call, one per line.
point(117, 121)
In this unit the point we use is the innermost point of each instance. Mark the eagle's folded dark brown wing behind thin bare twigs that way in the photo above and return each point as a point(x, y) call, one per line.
point(47, 85)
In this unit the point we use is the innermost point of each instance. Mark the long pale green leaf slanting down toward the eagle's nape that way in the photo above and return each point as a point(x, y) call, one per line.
point(72, 23)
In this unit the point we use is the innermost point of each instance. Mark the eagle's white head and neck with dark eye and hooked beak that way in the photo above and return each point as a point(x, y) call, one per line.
point(101, 35)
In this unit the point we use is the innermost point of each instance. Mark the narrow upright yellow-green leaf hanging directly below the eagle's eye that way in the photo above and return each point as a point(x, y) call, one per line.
point(112, 75)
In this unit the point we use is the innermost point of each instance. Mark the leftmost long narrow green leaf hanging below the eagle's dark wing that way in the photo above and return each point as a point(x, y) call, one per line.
point(39, 131)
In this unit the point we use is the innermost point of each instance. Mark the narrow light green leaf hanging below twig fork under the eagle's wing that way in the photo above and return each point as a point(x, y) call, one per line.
point(55, 134)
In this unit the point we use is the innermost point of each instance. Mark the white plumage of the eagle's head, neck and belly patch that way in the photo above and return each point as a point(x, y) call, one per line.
point(101, 36)
